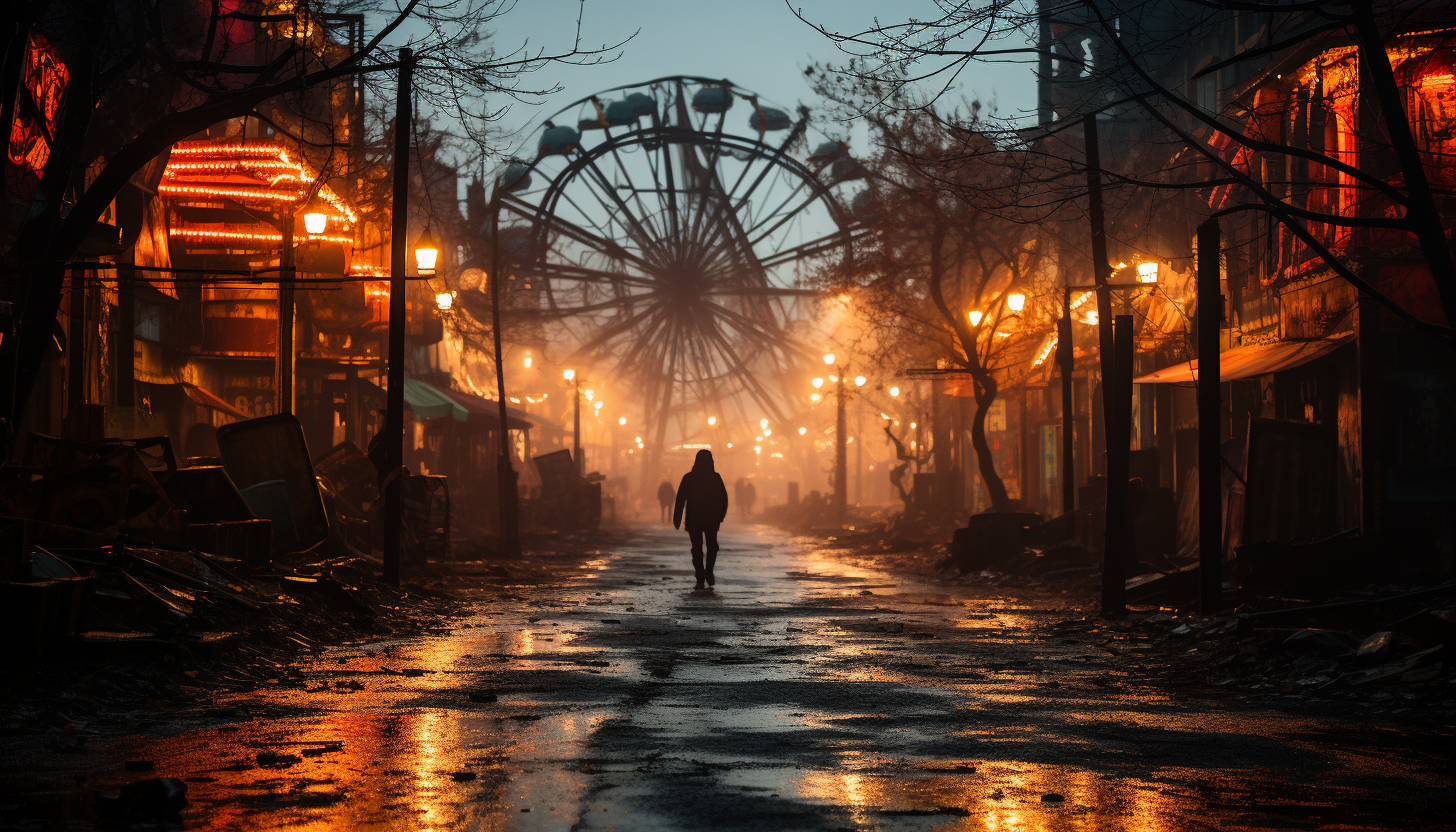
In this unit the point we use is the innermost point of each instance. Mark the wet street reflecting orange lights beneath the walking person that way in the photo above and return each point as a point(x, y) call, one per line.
point(803, 694)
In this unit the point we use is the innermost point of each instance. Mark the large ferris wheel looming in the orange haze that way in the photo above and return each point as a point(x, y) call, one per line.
point(670, 231)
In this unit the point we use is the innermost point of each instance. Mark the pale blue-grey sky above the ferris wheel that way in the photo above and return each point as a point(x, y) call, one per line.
point(758, 44)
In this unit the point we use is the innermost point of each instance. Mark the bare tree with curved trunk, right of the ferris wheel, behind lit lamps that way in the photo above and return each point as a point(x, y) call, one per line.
point(943, 276)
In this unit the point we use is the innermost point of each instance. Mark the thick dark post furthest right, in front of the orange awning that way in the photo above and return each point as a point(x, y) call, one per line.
point(1211, 458)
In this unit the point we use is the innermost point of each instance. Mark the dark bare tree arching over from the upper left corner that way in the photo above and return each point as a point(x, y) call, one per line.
point(132, 78)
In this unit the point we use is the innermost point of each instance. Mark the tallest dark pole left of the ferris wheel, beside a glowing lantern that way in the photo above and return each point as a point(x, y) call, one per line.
point(392, 438)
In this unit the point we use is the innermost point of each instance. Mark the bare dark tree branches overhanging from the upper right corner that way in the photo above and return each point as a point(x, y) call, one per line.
point(1129, 60)
